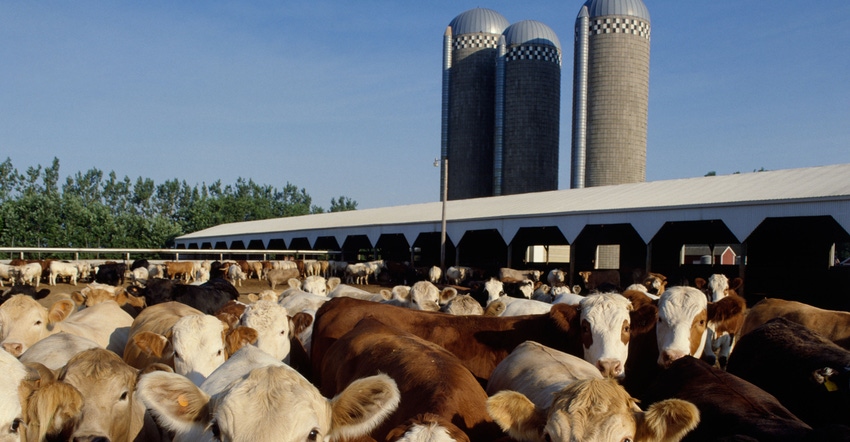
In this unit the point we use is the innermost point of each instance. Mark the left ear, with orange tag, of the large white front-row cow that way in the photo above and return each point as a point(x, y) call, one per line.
point(174, 400)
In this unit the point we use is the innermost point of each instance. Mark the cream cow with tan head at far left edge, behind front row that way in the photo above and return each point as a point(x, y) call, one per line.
point(23, 322)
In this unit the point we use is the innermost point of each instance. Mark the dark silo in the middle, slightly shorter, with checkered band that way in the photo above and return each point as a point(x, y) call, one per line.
point(528, 97)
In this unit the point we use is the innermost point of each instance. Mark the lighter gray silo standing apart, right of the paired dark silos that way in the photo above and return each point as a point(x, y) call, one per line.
point(610, 93)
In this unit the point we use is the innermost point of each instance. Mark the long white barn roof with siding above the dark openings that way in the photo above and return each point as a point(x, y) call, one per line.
point(741, 200)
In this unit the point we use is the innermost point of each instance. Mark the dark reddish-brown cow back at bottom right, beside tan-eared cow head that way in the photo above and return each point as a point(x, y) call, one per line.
point(730, 408)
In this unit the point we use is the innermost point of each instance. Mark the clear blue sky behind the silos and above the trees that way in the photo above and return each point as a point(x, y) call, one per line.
point(343, 97)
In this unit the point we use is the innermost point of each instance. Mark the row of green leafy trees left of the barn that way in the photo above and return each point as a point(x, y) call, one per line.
point(93, 209)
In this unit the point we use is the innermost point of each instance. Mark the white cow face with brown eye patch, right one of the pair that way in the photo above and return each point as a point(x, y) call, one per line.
point(682, 322)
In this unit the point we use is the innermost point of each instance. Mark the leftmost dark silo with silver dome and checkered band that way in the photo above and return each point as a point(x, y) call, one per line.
point(469, 75)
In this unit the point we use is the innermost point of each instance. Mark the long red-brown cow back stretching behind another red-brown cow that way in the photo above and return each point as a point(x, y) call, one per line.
point(479, 341)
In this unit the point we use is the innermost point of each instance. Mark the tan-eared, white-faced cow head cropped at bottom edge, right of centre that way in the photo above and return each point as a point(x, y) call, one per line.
point(591, 409)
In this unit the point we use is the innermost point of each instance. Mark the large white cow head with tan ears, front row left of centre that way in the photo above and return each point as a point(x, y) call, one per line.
point(254, 397)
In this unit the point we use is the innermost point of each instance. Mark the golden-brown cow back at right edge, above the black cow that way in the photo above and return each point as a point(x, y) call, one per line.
point(831, 324)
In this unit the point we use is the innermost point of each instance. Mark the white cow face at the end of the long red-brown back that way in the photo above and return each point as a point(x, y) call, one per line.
point(605, 332)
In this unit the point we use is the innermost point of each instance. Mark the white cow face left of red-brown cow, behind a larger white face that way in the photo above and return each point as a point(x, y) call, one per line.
point(273, 326)
